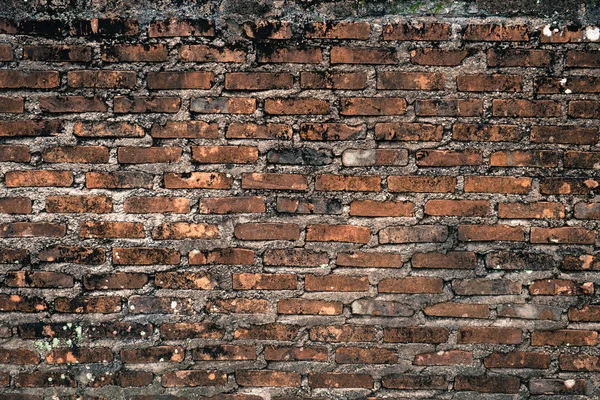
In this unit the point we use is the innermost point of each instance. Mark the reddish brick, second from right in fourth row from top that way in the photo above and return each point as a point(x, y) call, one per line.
point(521, 108)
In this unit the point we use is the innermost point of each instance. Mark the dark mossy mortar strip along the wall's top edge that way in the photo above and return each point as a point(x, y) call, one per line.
point(563, 11)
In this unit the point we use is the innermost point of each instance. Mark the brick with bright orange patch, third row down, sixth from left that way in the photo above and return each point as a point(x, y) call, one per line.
point(411, 81)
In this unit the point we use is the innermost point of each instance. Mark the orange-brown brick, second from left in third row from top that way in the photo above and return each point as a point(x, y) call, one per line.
point(101, 79)
